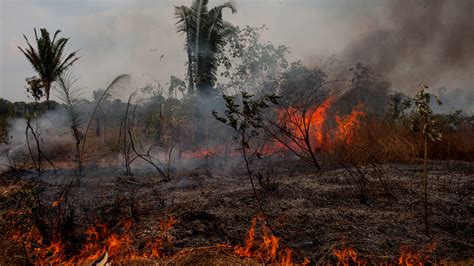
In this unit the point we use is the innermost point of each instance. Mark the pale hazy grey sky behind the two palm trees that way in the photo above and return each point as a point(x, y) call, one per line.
point(121, 36)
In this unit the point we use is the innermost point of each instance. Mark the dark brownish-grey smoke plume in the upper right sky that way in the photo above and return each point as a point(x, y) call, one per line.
point(420, 41)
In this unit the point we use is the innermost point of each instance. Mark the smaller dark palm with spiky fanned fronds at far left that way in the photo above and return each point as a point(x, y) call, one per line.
point(47, 59)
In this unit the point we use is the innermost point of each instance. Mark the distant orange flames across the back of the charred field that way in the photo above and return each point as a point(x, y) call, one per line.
point(305, 126)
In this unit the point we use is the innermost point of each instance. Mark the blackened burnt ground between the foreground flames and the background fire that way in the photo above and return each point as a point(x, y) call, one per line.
point(311, 211)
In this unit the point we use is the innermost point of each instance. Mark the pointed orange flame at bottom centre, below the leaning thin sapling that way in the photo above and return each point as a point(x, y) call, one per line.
point(267, 249)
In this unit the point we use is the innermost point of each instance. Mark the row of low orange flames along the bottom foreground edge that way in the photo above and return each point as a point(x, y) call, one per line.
point(261, 245)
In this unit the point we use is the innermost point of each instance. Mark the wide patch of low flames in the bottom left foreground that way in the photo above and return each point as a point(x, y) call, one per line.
point(100, 243)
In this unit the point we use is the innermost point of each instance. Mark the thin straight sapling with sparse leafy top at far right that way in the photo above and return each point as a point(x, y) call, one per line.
point(423, 120)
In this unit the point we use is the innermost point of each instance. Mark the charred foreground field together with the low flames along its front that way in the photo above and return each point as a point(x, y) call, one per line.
point(212, 220)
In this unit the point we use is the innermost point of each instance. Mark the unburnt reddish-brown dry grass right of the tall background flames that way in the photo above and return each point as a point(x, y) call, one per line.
point(382, 141)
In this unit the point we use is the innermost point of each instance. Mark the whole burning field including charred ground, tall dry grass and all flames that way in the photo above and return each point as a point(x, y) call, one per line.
point(368, 193)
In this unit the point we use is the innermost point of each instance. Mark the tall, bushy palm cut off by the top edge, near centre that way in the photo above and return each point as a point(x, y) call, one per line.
point(206, 33)
